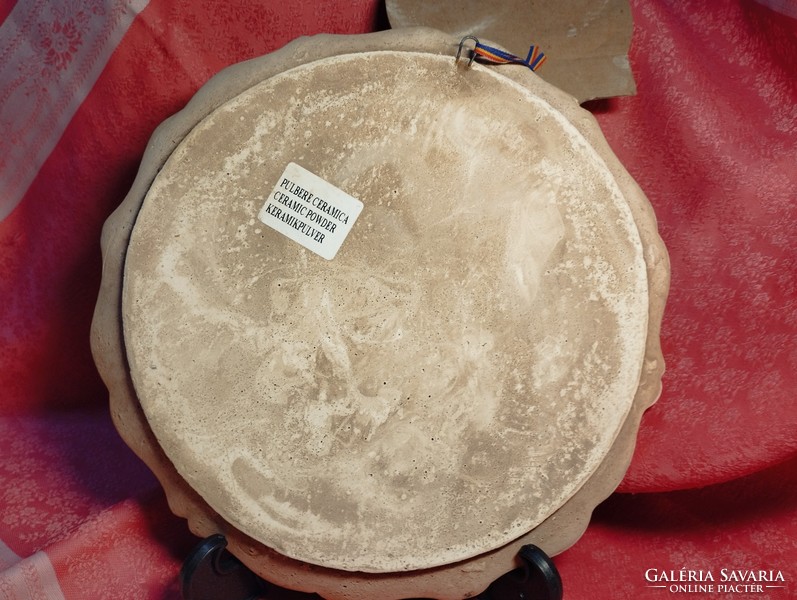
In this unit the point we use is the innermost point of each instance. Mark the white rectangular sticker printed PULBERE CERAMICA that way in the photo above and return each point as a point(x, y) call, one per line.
point(310, 211)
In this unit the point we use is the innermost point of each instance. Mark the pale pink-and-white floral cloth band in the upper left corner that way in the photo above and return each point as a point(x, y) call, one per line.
point(51, 53)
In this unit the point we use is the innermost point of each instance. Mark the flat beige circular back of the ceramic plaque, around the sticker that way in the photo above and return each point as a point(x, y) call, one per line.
point(447, 381)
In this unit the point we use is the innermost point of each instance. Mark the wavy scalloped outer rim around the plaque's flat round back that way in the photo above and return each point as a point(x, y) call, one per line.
point(554, 534)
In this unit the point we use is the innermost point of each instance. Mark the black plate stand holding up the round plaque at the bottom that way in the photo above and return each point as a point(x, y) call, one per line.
point(212, 573)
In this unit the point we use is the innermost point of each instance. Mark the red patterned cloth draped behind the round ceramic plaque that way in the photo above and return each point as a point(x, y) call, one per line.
point(710, 137)
